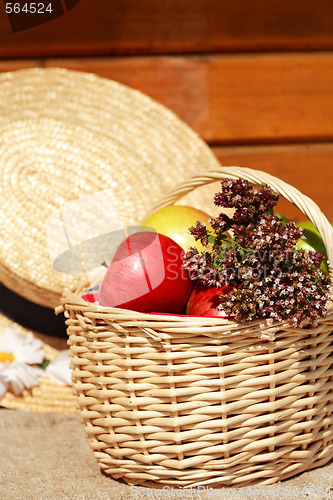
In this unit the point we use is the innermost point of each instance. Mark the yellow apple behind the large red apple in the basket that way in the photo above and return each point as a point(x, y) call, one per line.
point(174, 221)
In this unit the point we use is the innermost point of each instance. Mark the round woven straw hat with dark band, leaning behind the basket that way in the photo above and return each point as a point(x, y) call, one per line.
point(66, 137)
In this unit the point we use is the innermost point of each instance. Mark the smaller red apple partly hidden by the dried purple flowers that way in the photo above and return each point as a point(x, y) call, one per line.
point(204, 300)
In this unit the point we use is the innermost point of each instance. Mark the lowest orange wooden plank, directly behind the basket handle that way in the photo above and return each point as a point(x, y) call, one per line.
point(305, 166)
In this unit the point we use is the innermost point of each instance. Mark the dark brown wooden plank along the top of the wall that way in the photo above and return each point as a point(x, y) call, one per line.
point(153, 27)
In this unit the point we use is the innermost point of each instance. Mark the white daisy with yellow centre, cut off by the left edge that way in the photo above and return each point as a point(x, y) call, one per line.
point(17, 352)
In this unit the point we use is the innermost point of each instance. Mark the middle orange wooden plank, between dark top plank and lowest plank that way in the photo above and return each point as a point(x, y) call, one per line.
point(234, 98)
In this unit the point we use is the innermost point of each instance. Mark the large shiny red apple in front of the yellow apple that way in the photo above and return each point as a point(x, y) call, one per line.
point(146, 275)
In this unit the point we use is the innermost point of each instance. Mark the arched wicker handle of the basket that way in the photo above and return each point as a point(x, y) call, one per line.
point(257, 177)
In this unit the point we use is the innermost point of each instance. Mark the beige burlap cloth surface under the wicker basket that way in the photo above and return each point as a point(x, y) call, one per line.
point(46, 456)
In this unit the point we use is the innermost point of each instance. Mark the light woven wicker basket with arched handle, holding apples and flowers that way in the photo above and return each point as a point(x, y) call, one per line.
point(185, 401)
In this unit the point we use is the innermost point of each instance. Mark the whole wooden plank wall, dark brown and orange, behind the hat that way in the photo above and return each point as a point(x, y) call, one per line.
point(253, 79)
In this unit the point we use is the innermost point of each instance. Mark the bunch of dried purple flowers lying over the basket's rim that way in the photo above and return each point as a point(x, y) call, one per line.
point(270, 277)
